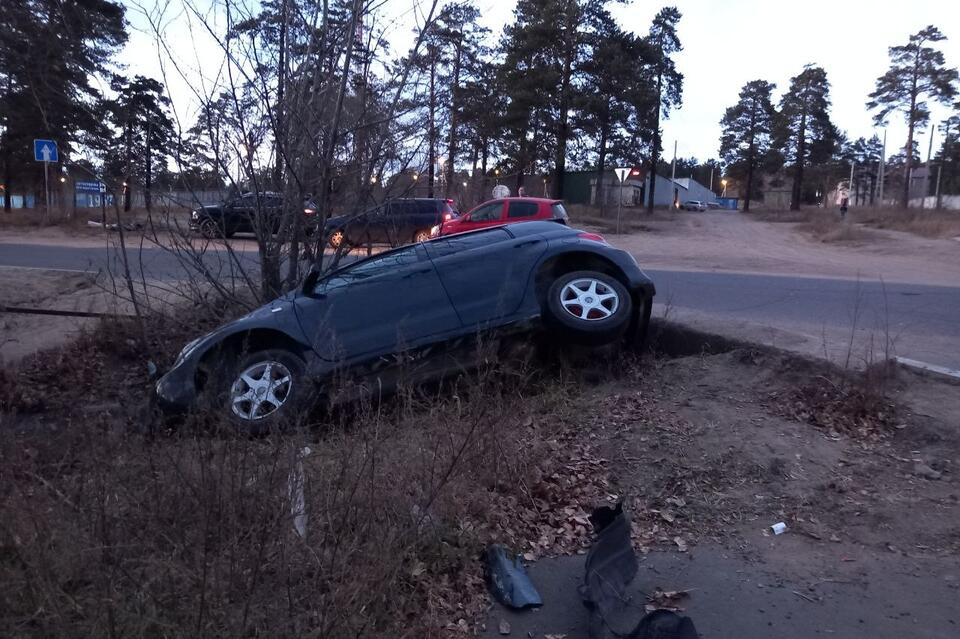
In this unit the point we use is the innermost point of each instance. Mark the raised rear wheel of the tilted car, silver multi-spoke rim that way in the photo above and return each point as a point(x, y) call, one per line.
point(598, 314)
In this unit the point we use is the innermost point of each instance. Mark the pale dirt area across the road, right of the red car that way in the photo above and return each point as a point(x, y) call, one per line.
point(730, 241)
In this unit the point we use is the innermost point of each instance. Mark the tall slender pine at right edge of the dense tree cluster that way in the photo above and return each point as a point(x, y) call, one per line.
point(668, 82)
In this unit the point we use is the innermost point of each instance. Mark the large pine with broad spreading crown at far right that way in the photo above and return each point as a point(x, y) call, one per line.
point(917, 72)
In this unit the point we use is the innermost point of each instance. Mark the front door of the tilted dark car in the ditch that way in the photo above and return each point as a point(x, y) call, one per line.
point(379, 305)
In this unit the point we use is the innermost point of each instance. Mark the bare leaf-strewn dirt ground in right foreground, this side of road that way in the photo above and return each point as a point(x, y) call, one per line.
point(708, 451)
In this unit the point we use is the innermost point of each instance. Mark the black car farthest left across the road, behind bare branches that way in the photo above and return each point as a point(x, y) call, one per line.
point(241, 215)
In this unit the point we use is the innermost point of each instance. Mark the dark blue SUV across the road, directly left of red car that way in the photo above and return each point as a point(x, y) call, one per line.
point(396, 222)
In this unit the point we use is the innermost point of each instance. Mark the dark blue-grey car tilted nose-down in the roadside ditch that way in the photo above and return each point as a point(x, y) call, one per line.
point(360, 326)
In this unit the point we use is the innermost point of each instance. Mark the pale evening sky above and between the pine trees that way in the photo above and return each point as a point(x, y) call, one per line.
point(726, 43)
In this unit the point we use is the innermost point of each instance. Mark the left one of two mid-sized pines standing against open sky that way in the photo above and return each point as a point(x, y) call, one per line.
point(746, 141)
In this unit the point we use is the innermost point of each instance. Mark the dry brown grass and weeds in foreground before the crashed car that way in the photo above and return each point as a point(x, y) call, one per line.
point(104, 532)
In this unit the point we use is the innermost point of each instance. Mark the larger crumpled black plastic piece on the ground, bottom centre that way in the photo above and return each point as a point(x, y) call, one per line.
point(610, 567)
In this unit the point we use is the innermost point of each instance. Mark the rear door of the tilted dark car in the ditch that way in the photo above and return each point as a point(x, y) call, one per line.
point(486, 273)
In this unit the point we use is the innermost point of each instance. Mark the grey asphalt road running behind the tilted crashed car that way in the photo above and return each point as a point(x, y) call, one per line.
point(923, 320)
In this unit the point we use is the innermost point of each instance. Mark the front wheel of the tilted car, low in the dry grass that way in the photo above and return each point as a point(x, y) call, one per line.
point(274, 405)
